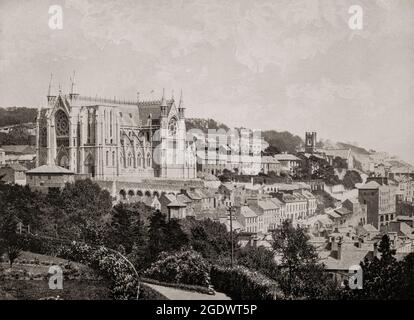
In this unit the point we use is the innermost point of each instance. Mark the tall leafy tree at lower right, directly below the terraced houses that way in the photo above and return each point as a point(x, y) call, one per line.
point(301, 273)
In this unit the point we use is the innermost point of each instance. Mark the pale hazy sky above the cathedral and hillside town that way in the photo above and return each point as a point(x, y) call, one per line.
point(283, 65)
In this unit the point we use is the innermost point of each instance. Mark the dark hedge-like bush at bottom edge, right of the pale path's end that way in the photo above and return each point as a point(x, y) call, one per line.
point(241, 283)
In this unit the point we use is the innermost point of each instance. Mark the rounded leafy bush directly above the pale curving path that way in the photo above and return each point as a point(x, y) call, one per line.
point(185, 267)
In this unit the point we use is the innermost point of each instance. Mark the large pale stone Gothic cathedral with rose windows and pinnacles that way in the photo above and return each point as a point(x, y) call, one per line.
point(110, 139)
